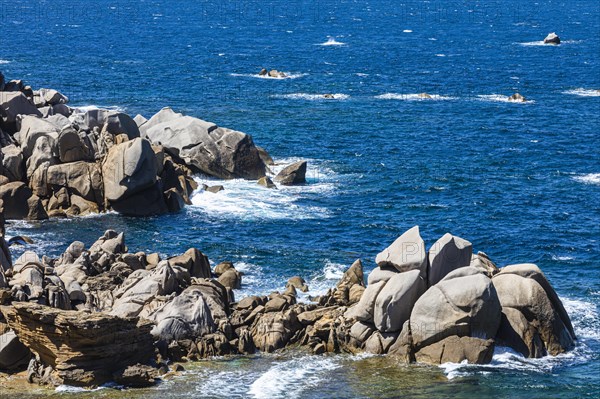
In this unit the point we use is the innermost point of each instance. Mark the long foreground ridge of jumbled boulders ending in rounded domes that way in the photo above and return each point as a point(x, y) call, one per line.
point(100, 313)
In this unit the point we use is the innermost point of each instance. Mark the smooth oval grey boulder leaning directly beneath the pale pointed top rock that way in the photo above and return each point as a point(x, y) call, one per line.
point(395, 301)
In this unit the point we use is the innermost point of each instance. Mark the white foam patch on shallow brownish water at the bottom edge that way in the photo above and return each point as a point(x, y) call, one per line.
point(289, 378)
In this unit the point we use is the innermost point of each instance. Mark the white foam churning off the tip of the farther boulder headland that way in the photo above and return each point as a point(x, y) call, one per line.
point(246, 200)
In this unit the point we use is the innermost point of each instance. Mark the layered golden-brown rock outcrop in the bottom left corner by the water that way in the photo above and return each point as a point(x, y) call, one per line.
point(83, 349)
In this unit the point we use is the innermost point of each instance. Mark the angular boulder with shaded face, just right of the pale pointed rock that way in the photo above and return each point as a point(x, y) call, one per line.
point(447, 254)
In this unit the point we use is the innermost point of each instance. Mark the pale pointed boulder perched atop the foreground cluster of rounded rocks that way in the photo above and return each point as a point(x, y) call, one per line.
point(406, 253)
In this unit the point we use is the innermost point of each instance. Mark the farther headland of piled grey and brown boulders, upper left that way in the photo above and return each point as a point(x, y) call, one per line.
point(59, 161)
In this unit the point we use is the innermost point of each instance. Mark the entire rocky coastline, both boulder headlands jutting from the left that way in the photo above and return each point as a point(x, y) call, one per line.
point(101, 313)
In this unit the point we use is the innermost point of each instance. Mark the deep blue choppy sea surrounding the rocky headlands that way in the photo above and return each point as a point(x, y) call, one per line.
point(521, 181)
